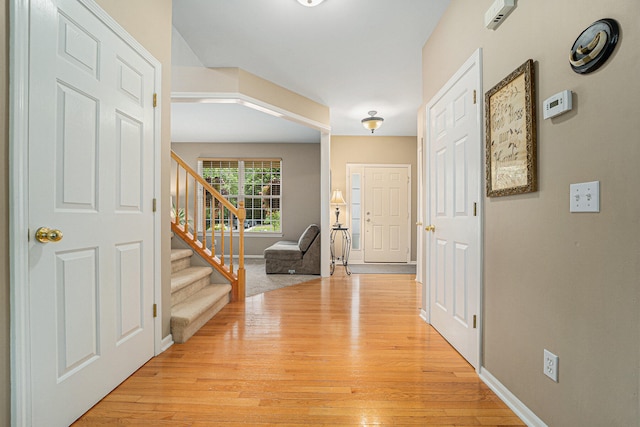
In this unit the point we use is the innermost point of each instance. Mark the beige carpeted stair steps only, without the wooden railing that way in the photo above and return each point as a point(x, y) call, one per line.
point(194, 299)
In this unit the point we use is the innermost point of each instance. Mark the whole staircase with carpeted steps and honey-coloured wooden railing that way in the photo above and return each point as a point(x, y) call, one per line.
point(206, 222)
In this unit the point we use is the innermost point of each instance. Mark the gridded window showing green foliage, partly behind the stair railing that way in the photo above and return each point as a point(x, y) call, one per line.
point(256, 181)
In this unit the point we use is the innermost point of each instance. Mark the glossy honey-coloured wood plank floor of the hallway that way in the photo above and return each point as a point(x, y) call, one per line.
point(342, 351)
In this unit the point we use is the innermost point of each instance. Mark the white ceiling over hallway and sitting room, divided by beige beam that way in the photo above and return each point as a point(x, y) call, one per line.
point(351, 55)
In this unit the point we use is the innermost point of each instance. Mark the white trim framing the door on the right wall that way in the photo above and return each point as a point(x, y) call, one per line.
point(425, 312)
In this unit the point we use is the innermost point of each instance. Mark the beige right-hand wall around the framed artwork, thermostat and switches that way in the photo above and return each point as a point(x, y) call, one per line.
point(566, 282)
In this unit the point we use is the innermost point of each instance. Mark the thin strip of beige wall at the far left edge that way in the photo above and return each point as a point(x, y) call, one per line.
point(5, 389)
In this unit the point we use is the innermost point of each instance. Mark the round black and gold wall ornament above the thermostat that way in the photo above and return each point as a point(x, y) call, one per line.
point(594, 45)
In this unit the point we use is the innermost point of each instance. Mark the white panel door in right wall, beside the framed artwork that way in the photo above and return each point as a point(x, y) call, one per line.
point(454, 152)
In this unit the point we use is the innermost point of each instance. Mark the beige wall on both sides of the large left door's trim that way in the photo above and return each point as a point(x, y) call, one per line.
point(149, 21)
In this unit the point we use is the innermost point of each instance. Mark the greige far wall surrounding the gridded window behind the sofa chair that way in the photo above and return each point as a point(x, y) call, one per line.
point(300, 182)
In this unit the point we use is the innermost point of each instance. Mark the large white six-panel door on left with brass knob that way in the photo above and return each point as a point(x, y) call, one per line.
point(91, 157)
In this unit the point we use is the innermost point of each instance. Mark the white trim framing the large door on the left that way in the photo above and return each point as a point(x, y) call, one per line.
point(20, 328)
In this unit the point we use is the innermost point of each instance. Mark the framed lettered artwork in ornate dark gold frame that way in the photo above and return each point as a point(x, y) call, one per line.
point(510, 118)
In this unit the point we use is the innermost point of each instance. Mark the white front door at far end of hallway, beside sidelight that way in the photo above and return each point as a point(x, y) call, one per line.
point(386, 214)
